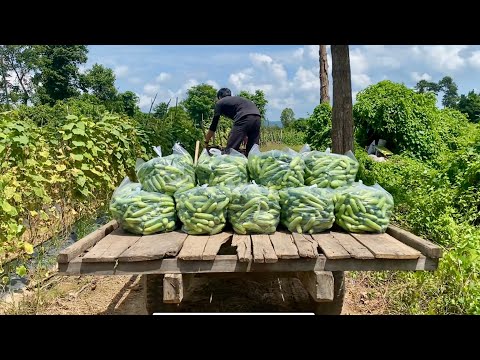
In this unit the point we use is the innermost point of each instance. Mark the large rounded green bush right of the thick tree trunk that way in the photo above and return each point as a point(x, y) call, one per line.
point(399, 115)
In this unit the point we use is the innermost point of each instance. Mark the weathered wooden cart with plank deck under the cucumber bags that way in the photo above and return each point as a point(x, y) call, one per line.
point(169, 261)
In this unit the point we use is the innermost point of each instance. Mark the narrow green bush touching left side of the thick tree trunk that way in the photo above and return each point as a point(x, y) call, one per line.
point(319, 127)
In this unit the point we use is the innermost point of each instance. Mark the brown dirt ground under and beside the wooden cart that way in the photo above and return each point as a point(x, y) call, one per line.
point(124, 295)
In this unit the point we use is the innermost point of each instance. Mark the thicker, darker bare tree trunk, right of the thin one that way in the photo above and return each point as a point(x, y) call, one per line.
point(342, 116)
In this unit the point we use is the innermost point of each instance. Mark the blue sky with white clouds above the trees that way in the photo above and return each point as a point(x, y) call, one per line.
point(288, 74)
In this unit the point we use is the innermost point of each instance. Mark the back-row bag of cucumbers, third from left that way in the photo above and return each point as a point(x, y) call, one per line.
point(276, 169)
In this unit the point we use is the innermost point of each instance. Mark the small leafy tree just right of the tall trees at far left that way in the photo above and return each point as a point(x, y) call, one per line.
point(101, 81)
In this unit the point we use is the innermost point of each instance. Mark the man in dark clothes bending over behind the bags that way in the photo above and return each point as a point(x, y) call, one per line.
point(245, 116)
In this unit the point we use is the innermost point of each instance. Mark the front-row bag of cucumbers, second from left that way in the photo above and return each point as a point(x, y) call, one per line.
point(203, 209)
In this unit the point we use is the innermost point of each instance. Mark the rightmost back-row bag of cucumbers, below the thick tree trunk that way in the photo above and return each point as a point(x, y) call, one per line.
point(326, 169)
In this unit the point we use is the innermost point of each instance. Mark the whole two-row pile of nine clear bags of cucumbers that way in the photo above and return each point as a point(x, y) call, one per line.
point(305, 192)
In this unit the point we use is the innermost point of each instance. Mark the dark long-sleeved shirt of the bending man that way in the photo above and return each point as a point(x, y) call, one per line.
point(233, 107)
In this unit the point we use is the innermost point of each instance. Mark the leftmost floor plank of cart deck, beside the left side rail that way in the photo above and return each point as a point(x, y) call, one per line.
point(110, 247)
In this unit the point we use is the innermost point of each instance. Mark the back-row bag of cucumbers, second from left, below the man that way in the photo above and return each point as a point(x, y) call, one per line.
point(221, 169)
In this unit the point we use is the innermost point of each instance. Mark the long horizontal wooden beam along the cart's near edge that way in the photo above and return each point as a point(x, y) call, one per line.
point(230, 264)
